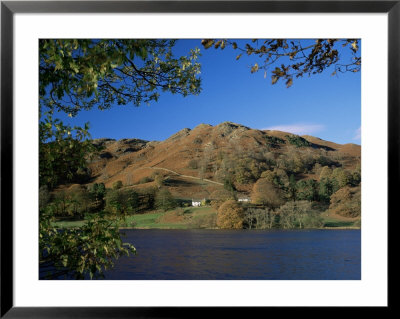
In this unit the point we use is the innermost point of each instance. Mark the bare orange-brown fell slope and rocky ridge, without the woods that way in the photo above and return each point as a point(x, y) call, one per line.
point(190, 161)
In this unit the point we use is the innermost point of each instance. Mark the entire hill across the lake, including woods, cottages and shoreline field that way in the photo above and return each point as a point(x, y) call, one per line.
point(247, 178)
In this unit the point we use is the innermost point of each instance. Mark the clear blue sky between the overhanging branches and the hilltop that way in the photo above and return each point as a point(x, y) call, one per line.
point(322, 105)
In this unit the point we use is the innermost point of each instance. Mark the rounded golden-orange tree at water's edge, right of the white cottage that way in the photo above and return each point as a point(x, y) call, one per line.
point(230, 215)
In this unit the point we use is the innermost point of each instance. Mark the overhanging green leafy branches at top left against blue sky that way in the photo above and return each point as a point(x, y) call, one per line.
point(81, 73)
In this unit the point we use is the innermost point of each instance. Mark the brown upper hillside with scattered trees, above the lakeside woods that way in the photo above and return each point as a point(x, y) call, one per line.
point(194, 163)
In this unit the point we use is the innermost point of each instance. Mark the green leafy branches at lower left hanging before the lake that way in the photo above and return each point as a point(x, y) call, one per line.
point(77, 252)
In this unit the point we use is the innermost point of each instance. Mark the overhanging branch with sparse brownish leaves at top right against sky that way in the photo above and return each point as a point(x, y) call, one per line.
point(292, 59)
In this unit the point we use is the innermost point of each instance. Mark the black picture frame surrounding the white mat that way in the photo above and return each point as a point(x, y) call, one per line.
point(9, 8)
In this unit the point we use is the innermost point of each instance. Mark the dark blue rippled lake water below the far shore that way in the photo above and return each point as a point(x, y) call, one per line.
point(241, 254)
